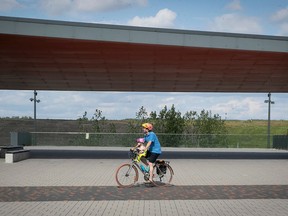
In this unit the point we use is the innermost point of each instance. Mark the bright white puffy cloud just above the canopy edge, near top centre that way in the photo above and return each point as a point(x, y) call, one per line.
point(164, 18)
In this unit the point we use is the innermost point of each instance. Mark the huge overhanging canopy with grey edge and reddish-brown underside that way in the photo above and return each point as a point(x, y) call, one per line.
point(56, 55)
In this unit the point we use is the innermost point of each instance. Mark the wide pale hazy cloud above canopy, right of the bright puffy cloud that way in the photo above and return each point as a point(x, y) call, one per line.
point(236, 23)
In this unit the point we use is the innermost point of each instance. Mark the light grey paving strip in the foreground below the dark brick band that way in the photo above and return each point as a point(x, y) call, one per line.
point(254, 207)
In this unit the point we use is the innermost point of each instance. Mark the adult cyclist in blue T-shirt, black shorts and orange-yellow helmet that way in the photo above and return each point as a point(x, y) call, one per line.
point(153, 147)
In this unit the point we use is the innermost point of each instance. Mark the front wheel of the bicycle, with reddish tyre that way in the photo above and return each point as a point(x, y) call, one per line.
point(126, 175)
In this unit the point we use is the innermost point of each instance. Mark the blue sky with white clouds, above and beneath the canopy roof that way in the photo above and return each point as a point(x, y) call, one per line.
point(263, 17)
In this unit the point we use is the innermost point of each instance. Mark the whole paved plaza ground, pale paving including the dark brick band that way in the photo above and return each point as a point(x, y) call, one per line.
point(51, 185)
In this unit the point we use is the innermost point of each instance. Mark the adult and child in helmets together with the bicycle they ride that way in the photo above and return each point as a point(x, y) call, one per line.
point(159, 173)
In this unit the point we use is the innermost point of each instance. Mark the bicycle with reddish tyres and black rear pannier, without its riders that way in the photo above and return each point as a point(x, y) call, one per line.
point(127, 174)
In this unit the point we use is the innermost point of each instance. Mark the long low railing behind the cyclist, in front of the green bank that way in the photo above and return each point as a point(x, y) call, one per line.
point(167, 140)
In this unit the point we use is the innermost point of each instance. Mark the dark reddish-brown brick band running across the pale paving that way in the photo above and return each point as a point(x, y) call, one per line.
point(88, 193)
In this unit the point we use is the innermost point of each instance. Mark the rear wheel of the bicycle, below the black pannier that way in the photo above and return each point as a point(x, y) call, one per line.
point(161, 178)
